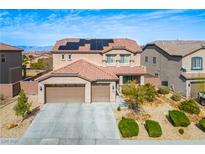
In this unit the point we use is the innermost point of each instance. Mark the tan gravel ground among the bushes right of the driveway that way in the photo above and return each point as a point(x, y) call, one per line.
point(159, 112)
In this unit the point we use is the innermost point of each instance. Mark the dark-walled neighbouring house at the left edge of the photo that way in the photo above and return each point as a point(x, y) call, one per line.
point(10, 69)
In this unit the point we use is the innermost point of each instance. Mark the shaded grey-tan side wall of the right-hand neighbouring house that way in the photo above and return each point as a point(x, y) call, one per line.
point(167, 67)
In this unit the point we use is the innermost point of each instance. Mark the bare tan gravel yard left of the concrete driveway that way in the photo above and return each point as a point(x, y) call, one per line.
point(7, 117)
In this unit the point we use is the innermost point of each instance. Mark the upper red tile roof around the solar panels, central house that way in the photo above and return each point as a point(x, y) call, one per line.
point(120, 43)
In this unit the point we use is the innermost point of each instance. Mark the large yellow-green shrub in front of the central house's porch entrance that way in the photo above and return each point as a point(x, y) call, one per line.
point(133, 94)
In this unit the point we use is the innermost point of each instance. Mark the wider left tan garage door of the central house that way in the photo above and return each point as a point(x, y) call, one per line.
point(65, 93)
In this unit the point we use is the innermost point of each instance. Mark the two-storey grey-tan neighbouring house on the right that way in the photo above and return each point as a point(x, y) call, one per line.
point(179, 64)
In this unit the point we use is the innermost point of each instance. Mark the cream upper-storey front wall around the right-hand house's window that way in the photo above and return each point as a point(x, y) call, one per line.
point(186, 61)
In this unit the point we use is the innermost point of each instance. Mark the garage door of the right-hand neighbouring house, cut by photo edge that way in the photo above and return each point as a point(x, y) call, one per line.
point(196, 87)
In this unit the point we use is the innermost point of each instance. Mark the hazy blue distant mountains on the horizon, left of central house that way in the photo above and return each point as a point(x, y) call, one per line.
point(35, 48)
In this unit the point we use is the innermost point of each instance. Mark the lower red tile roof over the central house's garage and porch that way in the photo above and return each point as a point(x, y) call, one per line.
point(91, 72)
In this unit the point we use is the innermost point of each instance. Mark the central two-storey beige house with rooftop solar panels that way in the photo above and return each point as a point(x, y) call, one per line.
point(90, 70)
